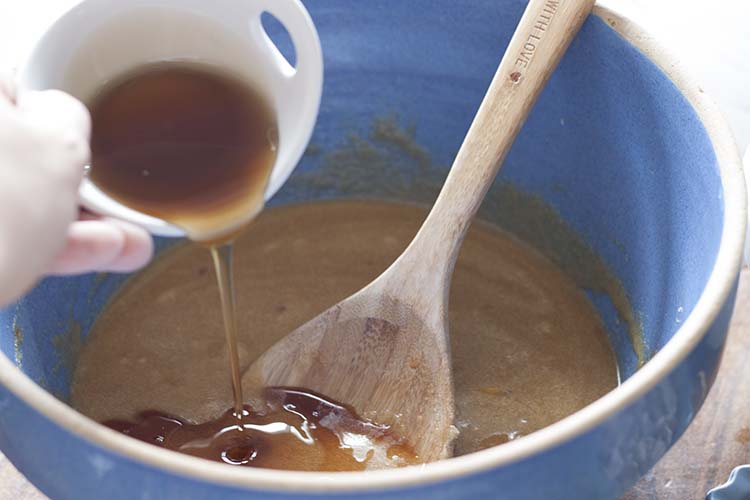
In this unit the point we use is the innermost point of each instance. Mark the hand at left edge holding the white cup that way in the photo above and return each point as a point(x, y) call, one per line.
point(44, 140)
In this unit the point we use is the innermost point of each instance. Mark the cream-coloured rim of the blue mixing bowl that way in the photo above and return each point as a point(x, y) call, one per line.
point(693, 329)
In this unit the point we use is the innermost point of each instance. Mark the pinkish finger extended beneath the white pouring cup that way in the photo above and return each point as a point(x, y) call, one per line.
point(103, 245)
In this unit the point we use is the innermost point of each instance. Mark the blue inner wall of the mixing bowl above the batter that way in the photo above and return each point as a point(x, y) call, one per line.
point(612, 149)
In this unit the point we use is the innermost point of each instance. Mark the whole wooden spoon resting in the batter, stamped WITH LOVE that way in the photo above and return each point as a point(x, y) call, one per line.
point(385, 349)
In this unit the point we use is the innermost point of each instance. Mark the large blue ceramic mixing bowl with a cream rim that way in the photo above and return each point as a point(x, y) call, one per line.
point(624, 147)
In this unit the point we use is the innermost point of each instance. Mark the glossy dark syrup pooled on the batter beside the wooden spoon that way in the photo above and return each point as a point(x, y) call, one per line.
point(295, 430)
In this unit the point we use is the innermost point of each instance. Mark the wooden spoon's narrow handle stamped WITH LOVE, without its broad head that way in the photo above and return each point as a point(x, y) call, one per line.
point(544, 33)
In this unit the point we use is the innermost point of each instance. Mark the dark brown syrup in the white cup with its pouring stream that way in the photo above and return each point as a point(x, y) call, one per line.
point(192, 146)
